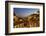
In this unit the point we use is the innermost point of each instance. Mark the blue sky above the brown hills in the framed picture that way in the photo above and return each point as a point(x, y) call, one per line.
point(24, 12)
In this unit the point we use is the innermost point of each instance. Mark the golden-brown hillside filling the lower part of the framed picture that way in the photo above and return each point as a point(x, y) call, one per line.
point(29, 21)
